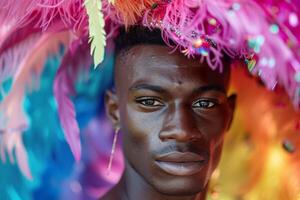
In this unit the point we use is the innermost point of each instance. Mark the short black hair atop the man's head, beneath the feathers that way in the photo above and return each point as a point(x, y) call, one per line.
point(135, 35)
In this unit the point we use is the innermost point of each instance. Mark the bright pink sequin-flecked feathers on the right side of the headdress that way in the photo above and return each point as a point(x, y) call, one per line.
point(238, 26)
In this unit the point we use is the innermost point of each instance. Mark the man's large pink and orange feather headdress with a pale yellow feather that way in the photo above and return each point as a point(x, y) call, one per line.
point(264, 34)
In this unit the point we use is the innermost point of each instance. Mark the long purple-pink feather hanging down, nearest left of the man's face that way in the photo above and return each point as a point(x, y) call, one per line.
point(73, 61)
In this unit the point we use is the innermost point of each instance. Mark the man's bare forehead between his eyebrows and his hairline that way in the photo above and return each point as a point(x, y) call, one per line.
point(154, 64)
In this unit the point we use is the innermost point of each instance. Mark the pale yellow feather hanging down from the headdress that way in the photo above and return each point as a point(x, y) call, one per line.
point(97, 33)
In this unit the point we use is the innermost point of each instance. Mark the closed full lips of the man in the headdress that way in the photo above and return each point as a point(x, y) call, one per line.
point(181, 164)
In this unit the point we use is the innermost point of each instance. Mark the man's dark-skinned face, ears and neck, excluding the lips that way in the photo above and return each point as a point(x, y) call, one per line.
point(167, 103)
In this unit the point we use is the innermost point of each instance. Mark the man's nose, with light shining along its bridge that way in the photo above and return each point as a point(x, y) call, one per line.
point(180, 125)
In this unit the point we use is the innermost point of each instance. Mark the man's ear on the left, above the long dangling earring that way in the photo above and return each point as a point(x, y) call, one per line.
point(112, 107)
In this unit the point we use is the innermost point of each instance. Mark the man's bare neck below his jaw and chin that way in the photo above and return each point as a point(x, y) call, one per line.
point(133, 186)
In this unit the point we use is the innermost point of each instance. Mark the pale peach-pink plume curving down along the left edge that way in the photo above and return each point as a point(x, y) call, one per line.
point(13, 119)
